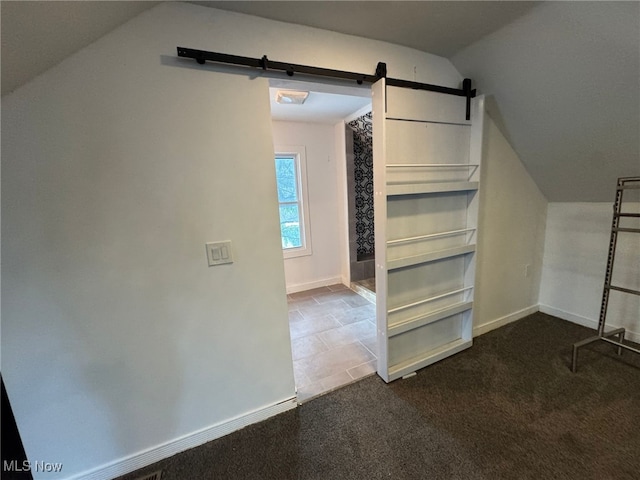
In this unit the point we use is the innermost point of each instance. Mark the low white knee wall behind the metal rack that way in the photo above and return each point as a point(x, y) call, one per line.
point(575, 261)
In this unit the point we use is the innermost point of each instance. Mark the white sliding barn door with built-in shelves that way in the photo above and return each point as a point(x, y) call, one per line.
point(426, 176)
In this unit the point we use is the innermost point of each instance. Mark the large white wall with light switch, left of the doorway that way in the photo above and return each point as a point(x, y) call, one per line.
point(118, 165)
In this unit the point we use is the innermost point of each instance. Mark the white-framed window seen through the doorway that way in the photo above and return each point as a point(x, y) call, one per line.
point(291, 180)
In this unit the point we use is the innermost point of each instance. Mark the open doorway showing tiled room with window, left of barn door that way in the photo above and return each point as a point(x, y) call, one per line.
point(333, 327)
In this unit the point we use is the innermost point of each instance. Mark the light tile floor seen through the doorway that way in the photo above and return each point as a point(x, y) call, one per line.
point(333, 338)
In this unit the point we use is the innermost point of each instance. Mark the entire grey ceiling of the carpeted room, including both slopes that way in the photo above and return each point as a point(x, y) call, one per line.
point(562, 78)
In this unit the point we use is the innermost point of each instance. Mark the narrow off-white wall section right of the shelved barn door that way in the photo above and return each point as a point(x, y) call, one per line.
point(511, 236)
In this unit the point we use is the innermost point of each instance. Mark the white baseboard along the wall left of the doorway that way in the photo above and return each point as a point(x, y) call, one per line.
point(155, 454)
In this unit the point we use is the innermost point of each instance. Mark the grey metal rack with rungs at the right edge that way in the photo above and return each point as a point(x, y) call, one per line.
point(624, 183)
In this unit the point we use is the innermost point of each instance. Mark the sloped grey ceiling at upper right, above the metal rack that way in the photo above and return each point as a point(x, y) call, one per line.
point(564, 87)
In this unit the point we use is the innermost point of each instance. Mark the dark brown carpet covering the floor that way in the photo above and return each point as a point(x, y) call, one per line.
point(507, 408)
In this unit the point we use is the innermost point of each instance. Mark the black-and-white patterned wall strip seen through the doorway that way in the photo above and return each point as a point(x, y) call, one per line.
point(363, 175)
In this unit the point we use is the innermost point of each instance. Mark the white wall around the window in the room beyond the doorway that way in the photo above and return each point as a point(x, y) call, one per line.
point(322, 267)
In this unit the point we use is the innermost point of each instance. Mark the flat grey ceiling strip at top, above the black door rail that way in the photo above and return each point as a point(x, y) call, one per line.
point(438, 27)
